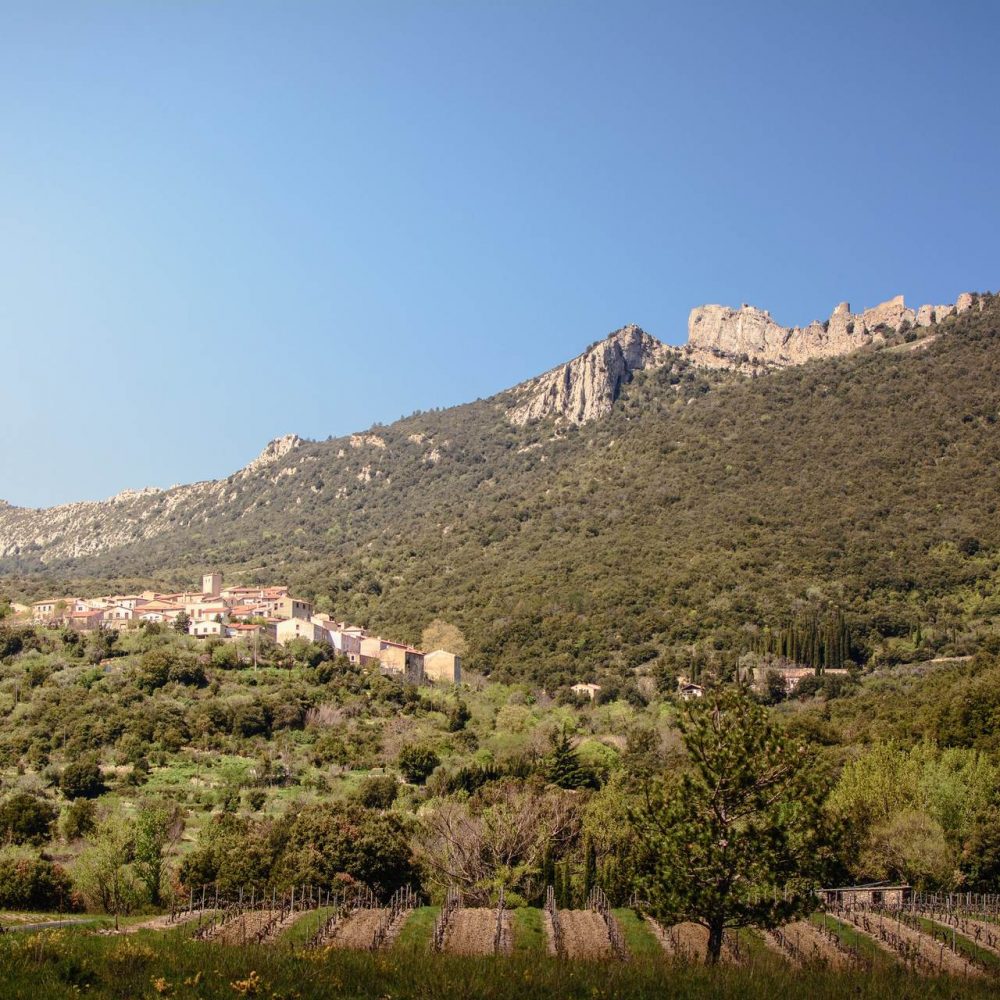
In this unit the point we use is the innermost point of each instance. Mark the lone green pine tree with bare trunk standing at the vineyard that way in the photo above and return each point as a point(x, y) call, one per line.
point(738, 841)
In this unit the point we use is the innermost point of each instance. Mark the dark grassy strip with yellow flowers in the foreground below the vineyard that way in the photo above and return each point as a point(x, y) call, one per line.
point(71, 963)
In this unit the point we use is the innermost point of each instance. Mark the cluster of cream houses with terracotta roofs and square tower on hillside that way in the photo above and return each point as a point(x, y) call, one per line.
point(229, 613)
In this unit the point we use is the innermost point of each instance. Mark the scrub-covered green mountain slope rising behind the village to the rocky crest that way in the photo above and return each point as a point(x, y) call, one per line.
point(705, 508)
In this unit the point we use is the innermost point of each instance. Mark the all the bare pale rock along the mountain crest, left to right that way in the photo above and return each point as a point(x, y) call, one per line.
point(582, 390)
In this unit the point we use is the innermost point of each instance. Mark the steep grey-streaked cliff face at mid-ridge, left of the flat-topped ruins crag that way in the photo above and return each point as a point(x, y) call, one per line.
point(587, 387)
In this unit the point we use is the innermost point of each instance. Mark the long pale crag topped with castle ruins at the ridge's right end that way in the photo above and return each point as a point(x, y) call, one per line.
point(748, 338)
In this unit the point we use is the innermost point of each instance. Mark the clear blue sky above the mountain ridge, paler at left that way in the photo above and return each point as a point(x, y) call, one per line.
point(225, 221)
